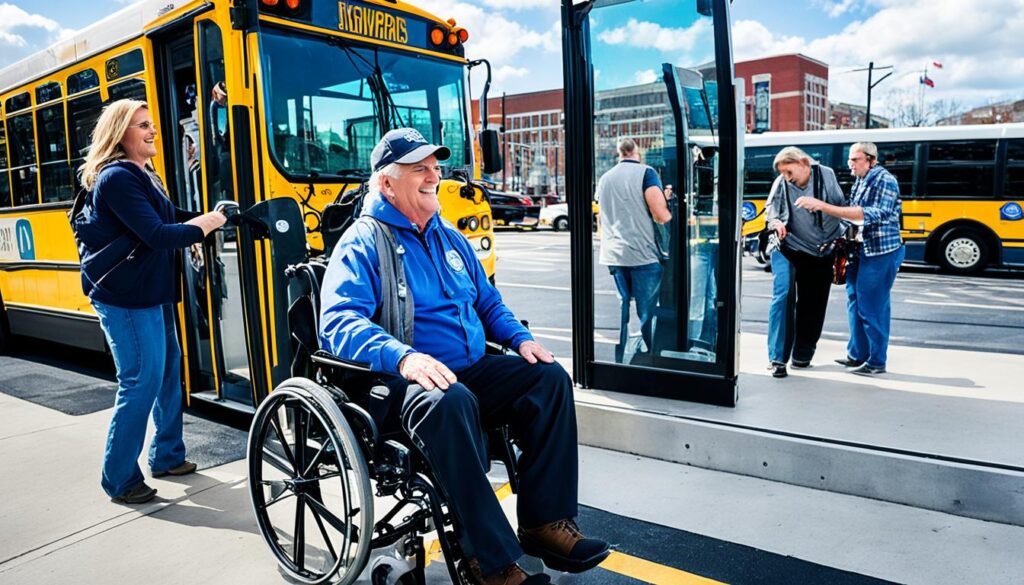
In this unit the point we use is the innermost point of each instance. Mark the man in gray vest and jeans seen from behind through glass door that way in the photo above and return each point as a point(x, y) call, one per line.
point(632, 201)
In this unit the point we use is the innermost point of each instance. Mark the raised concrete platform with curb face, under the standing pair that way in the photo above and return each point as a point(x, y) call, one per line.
point(941, 431)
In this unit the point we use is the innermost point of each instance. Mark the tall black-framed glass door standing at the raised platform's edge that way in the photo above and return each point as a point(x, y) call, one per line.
point(665, 97)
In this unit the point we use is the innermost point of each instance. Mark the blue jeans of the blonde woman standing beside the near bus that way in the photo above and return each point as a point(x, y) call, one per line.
point(146, 352)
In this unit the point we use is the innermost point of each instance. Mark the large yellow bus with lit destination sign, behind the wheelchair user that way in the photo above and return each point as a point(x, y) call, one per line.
point(275, 105)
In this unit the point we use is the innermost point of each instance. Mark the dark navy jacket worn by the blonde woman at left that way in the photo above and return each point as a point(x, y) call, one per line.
point(131, 240)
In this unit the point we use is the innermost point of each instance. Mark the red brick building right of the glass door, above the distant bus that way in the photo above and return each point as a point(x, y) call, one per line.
point(786, 93)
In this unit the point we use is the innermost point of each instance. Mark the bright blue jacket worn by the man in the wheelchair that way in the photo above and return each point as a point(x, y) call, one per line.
point(456, 308)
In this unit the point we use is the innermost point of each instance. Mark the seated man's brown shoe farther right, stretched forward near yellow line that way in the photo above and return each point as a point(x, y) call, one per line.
point(564, 548)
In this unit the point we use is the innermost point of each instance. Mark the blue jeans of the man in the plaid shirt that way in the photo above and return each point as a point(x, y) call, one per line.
point(869, 286)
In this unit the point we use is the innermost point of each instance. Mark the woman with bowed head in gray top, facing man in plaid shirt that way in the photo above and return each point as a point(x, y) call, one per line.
point(803, 264)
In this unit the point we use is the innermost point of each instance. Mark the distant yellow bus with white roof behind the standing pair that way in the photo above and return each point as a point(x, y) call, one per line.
point(963, 187)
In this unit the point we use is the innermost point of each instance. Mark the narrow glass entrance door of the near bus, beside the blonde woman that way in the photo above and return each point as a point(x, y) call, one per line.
point(223, 335)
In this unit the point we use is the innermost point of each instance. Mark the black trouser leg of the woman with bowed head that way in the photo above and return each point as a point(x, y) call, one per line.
point(813, 281)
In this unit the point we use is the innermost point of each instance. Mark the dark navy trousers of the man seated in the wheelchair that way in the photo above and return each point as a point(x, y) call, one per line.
point(536, 401)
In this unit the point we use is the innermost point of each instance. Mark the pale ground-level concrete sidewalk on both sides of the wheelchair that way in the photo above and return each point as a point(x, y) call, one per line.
point(61, 528)
